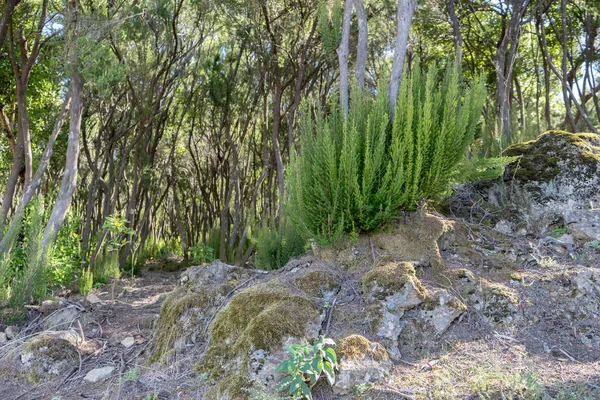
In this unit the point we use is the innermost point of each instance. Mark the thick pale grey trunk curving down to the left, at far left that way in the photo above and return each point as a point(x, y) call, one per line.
point(69, 181)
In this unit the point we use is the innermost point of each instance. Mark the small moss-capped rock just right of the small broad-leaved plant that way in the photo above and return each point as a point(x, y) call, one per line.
point(361, 362)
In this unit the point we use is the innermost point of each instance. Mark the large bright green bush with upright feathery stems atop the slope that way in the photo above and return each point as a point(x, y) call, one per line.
point(354, 173)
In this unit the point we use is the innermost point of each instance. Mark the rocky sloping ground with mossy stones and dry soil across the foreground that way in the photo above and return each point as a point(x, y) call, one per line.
point(489, 300)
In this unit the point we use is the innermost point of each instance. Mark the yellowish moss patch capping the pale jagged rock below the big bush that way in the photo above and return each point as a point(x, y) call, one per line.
point(391, 276)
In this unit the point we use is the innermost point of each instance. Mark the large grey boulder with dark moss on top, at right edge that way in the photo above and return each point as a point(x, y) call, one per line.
point(556, 178)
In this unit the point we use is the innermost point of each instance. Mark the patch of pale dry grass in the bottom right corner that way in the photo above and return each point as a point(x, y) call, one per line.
point(496, 369)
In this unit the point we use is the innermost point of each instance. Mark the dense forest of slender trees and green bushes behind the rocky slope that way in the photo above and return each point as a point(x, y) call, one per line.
point(189, 131)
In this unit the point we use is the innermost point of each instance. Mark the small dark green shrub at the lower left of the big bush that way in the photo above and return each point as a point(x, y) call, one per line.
point(274, 247)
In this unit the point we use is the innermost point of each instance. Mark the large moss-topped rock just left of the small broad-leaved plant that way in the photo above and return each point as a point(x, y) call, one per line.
point(258, 318)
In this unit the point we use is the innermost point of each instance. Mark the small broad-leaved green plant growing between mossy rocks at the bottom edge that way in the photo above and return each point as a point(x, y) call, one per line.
point(305, 366)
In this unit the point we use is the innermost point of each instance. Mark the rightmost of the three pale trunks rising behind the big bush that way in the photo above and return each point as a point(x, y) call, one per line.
point(406, 9)
